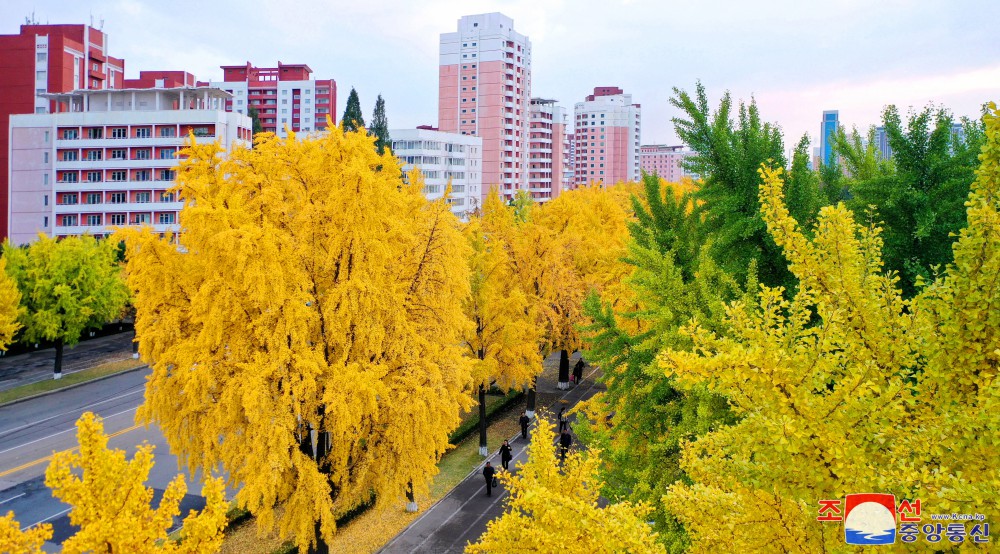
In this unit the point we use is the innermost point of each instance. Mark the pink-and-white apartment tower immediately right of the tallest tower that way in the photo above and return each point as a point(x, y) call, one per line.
point(548, 150)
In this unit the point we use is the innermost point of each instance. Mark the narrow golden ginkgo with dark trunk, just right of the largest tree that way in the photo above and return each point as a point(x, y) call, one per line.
point(503, 338)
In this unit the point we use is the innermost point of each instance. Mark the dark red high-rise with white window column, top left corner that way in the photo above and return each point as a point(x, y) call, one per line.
point(43, 59)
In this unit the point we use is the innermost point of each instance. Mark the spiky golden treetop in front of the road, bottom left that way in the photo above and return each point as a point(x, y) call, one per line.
point(111, 505)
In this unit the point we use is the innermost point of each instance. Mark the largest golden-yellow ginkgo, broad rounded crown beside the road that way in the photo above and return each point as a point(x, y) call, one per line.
point(312, 291)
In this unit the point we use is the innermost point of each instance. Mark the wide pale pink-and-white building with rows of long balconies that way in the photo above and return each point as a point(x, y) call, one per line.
point(106, 158)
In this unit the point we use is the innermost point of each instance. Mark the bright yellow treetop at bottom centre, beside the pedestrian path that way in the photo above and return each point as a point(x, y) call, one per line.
point(557, 511)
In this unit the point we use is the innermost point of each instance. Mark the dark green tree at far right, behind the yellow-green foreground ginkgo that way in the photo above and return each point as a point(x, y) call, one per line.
point(918, 199)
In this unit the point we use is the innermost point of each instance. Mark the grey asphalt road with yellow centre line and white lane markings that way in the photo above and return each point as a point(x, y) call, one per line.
point(32, 430)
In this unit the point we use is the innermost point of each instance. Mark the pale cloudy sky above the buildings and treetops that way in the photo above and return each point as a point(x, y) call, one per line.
point(796, 57)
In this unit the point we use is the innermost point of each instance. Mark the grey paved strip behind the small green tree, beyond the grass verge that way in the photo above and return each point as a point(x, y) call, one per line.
point(33, 367)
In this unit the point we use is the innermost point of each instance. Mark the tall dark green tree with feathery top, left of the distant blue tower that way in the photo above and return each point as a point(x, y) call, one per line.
point(728, 154)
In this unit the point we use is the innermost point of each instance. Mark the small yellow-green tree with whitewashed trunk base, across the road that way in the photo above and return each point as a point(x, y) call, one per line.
point(67, 286)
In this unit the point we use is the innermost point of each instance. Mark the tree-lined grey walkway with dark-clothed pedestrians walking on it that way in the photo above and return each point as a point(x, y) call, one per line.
point(461, 516)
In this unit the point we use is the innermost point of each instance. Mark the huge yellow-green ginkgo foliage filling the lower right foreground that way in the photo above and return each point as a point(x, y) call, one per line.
point(847, 388)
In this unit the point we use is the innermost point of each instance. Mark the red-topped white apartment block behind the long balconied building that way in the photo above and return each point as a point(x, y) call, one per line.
point(285, 96)
